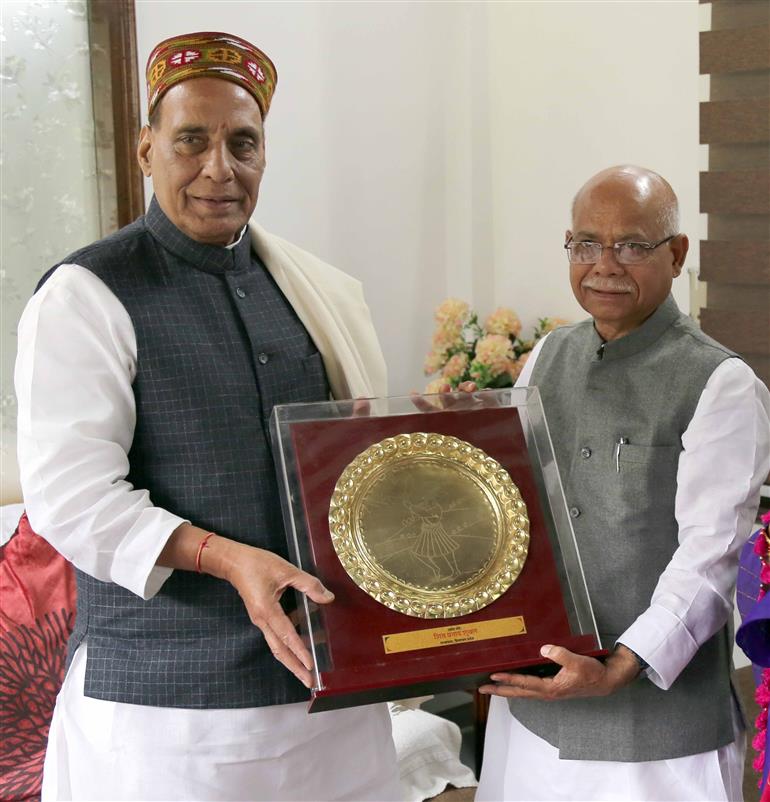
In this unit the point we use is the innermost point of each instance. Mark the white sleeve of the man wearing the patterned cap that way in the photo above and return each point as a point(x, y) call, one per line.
point(75, 366)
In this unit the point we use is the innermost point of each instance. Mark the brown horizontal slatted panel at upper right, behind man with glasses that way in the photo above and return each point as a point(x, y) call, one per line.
point(735, 190)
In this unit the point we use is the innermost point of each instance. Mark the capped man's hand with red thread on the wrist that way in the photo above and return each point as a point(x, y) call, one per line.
point(260, 577)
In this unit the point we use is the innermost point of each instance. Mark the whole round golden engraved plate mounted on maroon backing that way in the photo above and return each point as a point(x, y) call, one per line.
point(429, 525)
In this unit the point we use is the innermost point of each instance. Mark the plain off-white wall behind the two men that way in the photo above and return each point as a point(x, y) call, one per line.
point(433, 149)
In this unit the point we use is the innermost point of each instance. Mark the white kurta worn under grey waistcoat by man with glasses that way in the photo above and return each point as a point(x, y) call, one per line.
point(725, 459)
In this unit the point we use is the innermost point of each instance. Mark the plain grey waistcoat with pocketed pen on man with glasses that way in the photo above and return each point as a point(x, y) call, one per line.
point(644, 387)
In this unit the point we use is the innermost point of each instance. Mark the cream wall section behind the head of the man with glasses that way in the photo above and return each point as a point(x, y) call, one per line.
point(575, 87)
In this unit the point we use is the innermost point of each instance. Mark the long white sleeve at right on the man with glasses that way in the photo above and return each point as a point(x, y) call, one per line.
point(726, 458)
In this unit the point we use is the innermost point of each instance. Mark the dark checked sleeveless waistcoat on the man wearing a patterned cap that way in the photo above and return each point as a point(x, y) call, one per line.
point(218, 346)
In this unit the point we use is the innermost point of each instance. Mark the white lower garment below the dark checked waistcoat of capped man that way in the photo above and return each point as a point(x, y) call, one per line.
point(101, 750)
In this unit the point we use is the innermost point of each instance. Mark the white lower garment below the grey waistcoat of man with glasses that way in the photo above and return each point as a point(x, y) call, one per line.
point(518, 766)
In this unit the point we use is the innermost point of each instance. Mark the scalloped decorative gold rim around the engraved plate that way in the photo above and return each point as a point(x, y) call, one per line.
point(487, 474)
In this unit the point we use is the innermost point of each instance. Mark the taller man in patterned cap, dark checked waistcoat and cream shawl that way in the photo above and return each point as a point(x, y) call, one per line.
point(149, 363)
